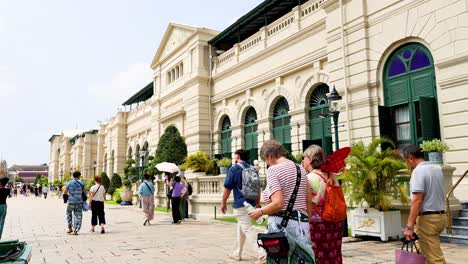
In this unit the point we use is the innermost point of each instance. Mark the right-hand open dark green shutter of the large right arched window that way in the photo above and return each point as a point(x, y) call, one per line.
point(430, 127)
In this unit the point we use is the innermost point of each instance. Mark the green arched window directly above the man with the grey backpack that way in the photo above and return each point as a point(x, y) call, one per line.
point(250, 134)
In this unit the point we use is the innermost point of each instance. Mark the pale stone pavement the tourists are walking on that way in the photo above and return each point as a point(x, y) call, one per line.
point(42, 224)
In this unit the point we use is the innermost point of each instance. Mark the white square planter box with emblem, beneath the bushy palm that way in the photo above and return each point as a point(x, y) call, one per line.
point(371, 222)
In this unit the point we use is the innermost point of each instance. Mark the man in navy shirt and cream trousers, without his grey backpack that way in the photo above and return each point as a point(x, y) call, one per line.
point(233, 182)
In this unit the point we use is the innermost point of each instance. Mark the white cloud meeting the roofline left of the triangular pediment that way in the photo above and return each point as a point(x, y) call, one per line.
point(123, 84)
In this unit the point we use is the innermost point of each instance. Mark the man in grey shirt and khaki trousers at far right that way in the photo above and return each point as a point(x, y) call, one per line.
point(427, 216)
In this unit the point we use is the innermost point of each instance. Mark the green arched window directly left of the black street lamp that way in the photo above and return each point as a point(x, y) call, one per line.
point(319, 123)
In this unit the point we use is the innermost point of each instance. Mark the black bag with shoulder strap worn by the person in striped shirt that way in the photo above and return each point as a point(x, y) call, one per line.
point(276, 243)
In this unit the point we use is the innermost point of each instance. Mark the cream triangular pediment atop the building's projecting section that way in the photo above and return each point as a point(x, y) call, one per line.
point(174, 37)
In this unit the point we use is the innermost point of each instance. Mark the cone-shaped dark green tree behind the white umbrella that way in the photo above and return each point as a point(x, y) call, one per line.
point(171, 147)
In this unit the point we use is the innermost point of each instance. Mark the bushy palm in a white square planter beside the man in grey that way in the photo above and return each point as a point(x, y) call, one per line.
point(373, 180)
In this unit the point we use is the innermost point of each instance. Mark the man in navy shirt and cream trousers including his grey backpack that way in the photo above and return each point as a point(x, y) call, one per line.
point(244, 181)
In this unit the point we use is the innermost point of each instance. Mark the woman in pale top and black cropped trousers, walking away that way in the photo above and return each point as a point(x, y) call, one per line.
point(97, 194)
